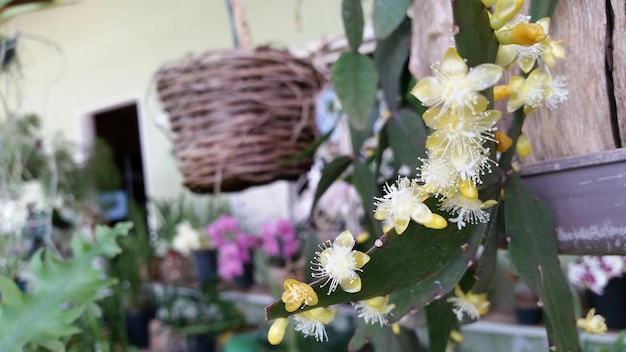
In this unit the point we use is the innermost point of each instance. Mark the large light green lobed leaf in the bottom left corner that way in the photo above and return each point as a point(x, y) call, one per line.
point(41, 317)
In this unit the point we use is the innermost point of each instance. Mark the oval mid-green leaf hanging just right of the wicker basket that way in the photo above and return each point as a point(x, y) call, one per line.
point(355, 80)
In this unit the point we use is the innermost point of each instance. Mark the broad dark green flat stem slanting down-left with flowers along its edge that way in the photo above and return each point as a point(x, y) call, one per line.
point(417, 256)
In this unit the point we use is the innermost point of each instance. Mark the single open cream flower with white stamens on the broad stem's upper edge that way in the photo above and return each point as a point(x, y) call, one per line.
point(340, 263)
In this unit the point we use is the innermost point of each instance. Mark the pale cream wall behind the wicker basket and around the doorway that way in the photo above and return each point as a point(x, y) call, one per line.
point(112, 48)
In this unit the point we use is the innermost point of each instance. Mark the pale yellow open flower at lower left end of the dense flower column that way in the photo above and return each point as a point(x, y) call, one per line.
point(402, 203)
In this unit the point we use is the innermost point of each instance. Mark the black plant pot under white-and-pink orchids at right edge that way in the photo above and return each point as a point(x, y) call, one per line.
point(612, 304)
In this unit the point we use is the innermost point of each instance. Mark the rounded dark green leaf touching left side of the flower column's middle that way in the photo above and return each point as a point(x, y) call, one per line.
point(407, 138)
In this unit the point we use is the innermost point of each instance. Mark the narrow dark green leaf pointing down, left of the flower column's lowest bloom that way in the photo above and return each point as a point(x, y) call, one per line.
point(364, 181)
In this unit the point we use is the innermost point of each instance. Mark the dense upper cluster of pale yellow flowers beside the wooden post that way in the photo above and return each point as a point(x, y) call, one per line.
point(458, 154)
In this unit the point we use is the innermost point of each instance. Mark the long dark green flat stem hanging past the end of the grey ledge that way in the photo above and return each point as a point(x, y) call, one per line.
point(533, 251)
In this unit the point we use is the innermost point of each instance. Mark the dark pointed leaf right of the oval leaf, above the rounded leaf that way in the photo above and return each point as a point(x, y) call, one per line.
point(390, 59)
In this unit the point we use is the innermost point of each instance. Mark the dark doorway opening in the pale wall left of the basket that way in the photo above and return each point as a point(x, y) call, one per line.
point(119, 128)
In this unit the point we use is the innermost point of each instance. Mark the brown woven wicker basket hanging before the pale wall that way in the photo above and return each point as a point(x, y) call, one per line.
point(240, 116)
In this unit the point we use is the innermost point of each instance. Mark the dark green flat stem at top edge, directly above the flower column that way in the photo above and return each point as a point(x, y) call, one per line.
point(475, 40)
